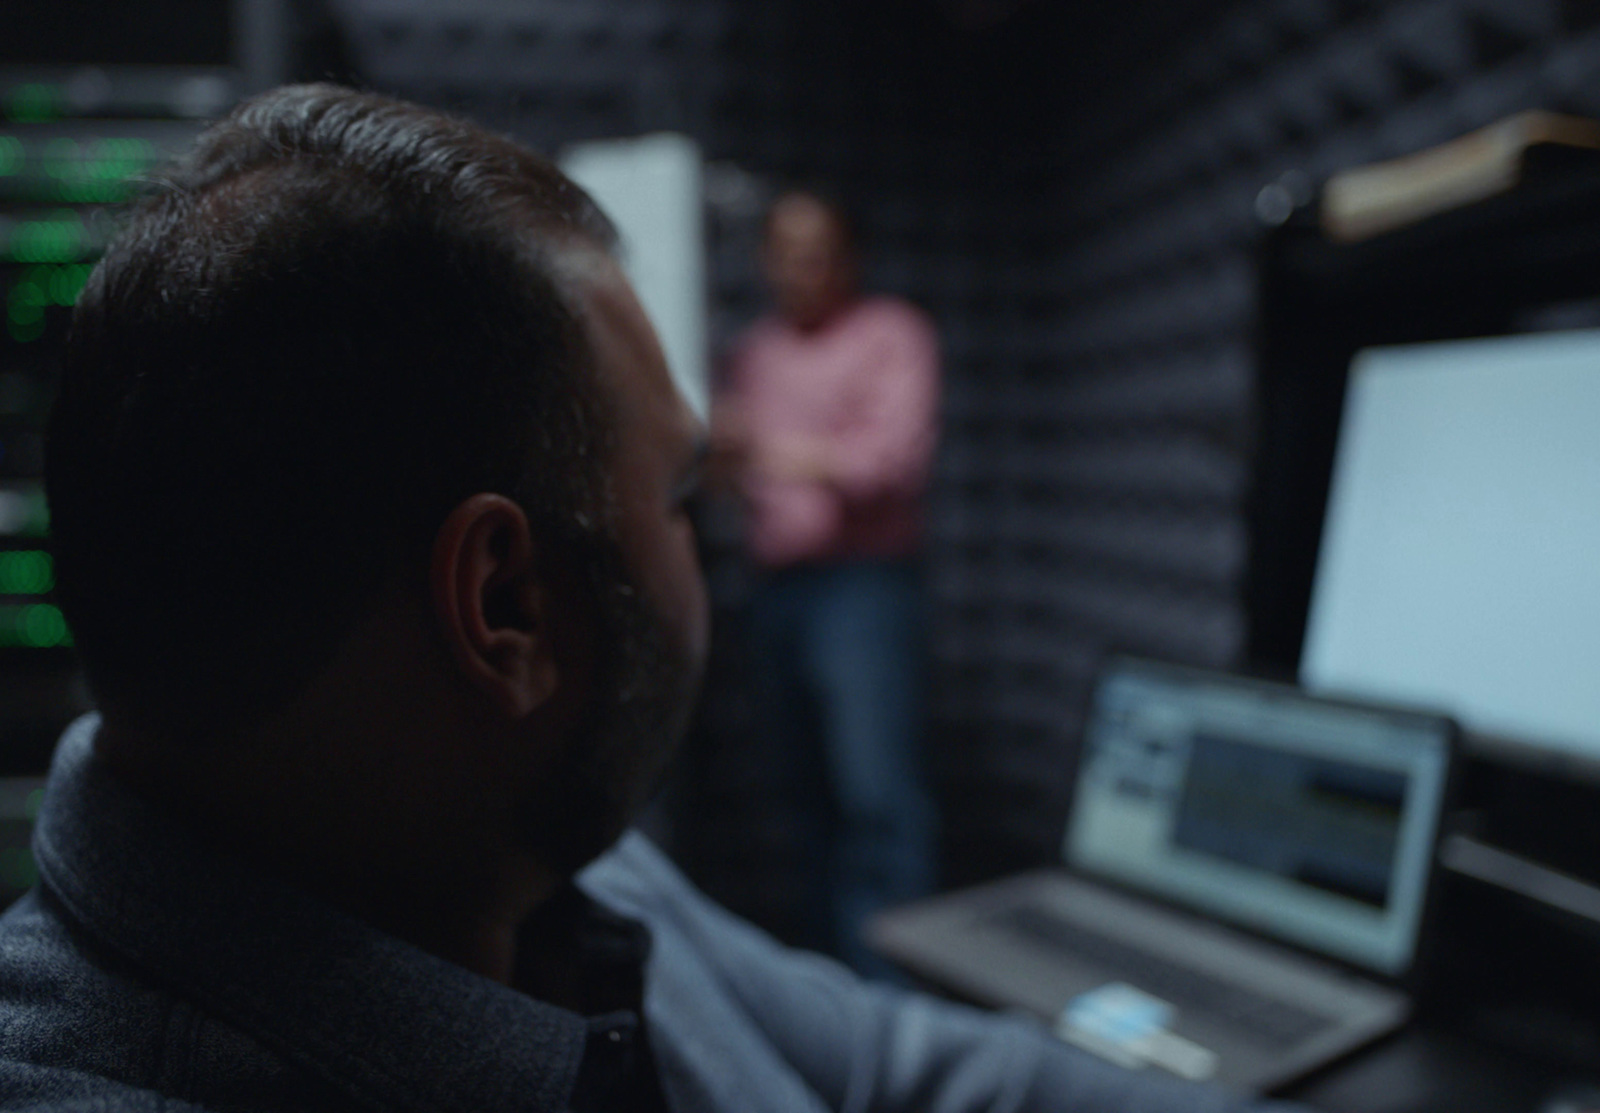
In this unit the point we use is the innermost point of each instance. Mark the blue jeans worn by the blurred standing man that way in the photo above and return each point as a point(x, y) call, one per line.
point(839, 666)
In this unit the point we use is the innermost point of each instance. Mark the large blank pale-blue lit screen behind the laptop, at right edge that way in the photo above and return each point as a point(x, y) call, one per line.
point(1460, 562)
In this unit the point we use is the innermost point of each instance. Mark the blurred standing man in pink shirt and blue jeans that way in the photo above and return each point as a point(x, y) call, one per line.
point(833, 412)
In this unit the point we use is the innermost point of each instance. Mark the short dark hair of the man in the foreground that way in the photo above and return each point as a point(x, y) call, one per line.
point(335, 321)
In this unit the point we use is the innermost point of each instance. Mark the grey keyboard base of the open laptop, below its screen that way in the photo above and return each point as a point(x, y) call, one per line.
point(1206, 1002)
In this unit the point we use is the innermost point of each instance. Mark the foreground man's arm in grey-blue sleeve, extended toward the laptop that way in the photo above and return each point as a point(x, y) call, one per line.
point(858, 1045)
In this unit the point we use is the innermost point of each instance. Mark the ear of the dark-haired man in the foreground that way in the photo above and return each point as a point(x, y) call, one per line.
point(494, 607)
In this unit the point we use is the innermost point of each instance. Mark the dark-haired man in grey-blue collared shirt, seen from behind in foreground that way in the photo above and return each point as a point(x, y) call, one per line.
point(369, 501)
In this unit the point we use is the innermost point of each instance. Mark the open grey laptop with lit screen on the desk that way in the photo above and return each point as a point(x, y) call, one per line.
point(1247, 879)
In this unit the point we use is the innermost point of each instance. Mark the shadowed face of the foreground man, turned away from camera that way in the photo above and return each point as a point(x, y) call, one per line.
point(644, 586)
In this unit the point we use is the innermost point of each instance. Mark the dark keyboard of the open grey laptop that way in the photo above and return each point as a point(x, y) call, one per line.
point(1268, 1021)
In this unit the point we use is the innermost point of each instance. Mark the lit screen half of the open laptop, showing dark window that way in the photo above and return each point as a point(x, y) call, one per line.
point(1306, 820)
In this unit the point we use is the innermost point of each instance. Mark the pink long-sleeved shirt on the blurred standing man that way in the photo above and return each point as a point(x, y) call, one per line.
point(863, 394)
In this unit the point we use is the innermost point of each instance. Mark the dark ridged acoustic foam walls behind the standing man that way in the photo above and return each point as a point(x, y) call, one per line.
point(1074, 193)
